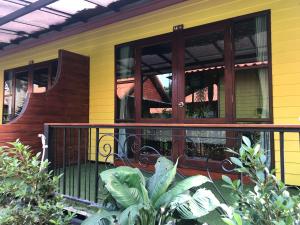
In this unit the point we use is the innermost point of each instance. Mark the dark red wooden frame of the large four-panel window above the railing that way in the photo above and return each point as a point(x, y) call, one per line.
point(230, 95)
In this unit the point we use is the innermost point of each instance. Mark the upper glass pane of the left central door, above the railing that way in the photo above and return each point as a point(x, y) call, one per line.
point(156, 71)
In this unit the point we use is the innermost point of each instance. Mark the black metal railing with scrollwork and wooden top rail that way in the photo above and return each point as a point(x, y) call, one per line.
point(81, 151)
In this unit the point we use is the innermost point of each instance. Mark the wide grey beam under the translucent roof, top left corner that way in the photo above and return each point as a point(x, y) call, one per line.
point(25, 10)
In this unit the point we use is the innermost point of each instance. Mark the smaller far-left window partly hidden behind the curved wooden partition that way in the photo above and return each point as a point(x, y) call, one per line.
point(18, 82)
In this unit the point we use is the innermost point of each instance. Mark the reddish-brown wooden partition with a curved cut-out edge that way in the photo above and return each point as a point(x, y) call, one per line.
point(67, 101)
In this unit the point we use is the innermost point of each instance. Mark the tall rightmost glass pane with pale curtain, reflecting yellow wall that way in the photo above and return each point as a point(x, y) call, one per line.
point(251, 73)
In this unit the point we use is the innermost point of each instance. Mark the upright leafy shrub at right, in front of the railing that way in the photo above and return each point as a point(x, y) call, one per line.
point(268, 202)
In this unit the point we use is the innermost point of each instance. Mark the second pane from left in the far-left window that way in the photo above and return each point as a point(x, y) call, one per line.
point(21, 91)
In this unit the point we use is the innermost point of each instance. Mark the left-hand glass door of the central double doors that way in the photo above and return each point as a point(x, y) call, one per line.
point(156, 100)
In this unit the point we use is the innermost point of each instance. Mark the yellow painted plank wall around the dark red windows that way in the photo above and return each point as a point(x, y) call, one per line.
point(99, 45)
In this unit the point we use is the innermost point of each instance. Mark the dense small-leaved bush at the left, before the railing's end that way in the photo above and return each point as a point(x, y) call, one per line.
point(27, 191)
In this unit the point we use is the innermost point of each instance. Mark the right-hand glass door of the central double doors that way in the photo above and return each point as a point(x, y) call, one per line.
point(202, 96)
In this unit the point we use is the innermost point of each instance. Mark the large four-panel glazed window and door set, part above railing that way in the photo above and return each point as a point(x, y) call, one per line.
point(216, 73)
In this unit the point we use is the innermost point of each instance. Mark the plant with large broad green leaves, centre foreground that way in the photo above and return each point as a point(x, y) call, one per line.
point(155, 201)
